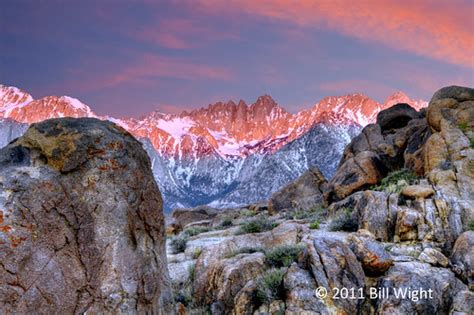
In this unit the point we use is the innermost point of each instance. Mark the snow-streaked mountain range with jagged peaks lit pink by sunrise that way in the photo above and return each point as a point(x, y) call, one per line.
point(227, 153)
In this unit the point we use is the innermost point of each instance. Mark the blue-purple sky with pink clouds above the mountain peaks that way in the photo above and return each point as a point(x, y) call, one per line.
point(128, 58)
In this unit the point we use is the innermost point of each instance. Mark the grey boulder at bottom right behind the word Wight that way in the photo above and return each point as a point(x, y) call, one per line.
point(419, 277)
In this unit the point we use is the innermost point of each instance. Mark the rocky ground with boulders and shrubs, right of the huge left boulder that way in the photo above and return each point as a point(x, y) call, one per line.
point(397, 215)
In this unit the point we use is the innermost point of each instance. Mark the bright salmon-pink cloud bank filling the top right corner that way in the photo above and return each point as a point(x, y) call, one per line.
point(436, 29)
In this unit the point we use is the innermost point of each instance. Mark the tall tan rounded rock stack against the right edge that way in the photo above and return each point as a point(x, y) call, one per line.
point(449, 156)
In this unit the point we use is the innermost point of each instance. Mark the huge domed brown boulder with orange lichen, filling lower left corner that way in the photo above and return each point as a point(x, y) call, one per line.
point(81, 223)
